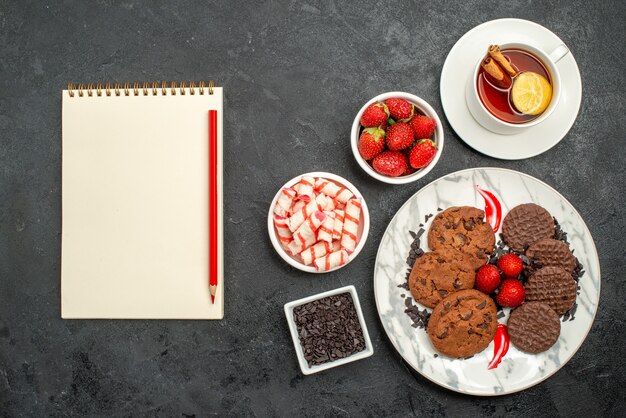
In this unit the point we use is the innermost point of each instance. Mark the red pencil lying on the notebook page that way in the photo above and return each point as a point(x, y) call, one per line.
point(213, 221)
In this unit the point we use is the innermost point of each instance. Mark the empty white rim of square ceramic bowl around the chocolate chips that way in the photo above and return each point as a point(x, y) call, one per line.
point(304, 365)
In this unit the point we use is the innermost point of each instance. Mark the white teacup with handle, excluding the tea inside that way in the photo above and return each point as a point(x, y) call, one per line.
point(492, 123)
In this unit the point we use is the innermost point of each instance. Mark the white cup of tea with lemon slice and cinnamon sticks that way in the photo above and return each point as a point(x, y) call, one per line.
point(514, 86)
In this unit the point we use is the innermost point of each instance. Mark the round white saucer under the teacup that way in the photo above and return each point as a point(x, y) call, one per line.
point(458, 68)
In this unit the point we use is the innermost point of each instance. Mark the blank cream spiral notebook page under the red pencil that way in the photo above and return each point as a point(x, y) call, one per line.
point(135, 177)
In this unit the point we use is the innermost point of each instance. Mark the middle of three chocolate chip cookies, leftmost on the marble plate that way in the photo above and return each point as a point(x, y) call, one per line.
point(437, 274)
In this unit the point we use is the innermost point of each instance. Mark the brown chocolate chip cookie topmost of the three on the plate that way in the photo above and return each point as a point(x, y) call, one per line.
point(463, 228)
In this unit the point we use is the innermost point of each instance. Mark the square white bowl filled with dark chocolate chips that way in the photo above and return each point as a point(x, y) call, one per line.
point(328, 330)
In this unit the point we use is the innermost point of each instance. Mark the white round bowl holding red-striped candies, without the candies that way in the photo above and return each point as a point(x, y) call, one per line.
point(364, 225)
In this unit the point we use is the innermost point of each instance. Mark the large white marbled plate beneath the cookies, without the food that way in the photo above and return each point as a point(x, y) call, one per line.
point(518, 370)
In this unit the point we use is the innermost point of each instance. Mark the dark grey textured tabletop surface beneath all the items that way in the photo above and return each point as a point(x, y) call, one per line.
point(294, 75)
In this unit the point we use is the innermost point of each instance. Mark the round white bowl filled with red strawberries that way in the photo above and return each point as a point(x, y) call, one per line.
point(397, 137)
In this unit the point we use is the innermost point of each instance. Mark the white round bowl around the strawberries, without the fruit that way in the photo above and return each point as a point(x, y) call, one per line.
point(424, 108)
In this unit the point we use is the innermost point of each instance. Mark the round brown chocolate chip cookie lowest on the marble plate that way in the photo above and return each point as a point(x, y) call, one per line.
point(463, 323)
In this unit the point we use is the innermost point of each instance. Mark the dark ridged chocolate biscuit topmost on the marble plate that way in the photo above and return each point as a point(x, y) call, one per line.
point(526, 224)
